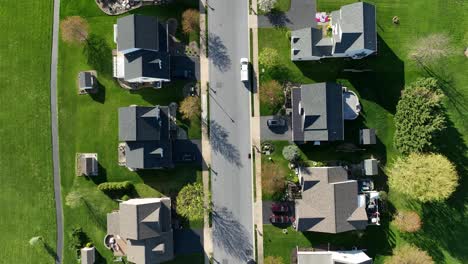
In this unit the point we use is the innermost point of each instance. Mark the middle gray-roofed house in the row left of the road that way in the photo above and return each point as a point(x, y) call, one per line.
point(146, 139)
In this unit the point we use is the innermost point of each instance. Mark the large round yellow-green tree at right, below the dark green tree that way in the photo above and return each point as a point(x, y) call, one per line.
point(424, 177)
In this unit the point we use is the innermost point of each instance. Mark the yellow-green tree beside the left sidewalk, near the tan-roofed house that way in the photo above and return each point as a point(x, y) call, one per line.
point(190, 202)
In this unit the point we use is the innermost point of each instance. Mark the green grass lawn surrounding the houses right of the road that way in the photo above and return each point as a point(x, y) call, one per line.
point(445, 225)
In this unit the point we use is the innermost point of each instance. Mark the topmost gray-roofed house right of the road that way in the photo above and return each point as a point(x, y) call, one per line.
point(348, 32)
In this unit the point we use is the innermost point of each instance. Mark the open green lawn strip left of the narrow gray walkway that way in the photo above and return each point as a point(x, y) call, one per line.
point(26, 191)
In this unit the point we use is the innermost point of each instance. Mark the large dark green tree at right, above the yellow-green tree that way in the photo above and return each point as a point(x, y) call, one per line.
point(419, 117)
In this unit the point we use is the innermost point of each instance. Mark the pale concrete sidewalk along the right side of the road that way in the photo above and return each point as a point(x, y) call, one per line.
point(256, 140)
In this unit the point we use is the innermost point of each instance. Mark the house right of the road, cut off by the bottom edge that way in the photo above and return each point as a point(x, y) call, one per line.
point(309, 256)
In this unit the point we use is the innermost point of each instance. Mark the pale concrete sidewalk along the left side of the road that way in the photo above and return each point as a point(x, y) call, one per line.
point(206, 150)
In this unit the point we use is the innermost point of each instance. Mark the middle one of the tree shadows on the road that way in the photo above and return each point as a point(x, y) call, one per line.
point(219, 143)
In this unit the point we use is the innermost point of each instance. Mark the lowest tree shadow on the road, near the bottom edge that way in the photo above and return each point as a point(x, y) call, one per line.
point(230, 235)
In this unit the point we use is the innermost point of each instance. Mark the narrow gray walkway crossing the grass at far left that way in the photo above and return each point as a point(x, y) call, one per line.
point(54, 125)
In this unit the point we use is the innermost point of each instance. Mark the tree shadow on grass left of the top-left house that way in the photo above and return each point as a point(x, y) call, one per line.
point(98, 54)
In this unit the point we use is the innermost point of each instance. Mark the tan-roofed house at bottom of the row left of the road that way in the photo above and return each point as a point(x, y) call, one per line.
point(141, 230)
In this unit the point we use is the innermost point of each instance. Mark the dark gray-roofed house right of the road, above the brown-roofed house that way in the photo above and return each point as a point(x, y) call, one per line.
point(317, 113)
